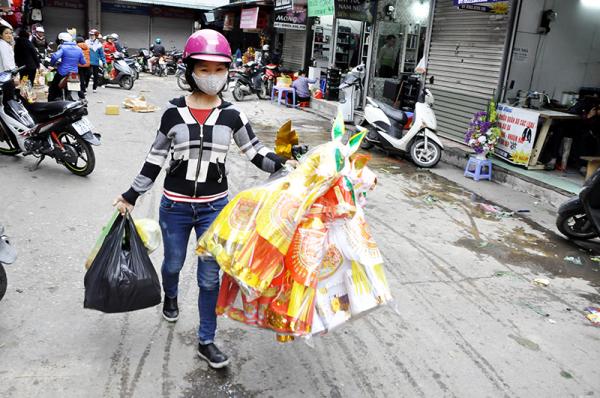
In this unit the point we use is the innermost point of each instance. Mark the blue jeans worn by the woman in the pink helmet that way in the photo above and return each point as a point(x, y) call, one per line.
point(176, 222)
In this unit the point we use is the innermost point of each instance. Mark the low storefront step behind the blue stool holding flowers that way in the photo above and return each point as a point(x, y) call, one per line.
point(543, 185)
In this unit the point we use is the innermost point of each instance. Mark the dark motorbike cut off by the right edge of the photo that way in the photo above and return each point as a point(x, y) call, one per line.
point(579, 217)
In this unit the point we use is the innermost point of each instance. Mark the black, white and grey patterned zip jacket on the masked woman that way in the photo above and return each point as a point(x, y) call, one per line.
point(197, 153)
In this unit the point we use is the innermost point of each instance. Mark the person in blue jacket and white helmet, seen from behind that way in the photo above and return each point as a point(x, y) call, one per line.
point(70, 56)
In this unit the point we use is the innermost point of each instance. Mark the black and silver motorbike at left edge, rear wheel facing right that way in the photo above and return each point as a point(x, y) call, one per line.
point(58, 129)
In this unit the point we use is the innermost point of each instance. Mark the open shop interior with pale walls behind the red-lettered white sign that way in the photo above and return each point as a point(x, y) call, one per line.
point(555, 70)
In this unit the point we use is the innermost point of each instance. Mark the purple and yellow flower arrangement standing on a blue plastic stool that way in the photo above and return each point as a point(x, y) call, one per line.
point(483, 132)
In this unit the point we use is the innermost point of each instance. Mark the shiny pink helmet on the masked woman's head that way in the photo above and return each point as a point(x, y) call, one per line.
point(207, 45)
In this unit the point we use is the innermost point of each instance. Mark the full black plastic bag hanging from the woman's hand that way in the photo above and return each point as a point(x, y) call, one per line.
point(121, 277)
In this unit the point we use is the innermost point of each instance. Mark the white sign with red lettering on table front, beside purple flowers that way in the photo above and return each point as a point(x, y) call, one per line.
point(518, 130)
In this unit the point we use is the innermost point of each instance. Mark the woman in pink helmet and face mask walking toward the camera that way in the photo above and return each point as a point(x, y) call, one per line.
point(195, 133)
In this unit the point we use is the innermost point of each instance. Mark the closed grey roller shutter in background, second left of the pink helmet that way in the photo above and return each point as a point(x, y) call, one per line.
point(133, 30)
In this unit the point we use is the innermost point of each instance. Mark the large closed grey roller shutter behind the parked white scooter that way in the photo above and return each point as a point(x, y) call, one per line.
point(466, 60)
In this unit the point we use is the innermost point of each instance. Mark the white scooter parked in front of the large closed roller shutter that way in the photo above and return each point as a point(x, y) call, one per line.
point(388, 130)
